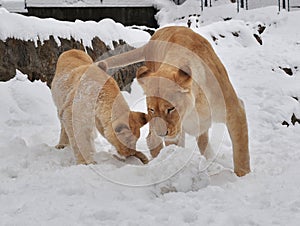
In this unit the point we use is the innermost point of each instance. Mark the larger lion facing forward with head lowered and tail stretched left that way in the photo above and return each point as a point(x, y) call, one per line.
point(187, 88)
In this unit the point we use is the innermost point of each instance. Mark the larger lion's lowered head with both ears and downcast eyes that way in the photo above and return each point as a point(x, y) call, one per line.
point(169, 99)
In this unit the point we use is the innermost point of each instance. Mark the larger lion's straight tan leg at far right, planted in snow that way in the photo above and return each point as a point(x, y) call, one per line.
point(238, 131)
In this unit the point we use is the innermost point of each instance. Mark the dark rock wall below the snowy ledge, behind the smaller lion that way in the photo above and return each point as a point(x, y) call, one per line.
point(39, 61)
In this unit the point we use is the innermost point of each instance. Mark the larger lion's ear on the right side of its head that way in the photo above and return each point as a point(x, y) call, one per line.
point(184, 78)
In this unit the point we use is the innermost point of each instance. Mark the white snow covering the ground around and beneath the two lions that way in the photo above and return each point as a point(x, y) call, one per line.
point(40, 185)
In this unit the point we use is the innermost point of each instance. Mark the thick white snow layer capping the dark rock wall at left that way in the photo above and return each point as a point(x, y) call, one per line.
point(32, 28)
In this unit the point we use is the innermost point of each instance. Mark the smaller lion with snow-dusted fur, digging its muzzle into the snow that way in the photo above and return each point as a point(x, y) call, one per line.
point(86, 97)
